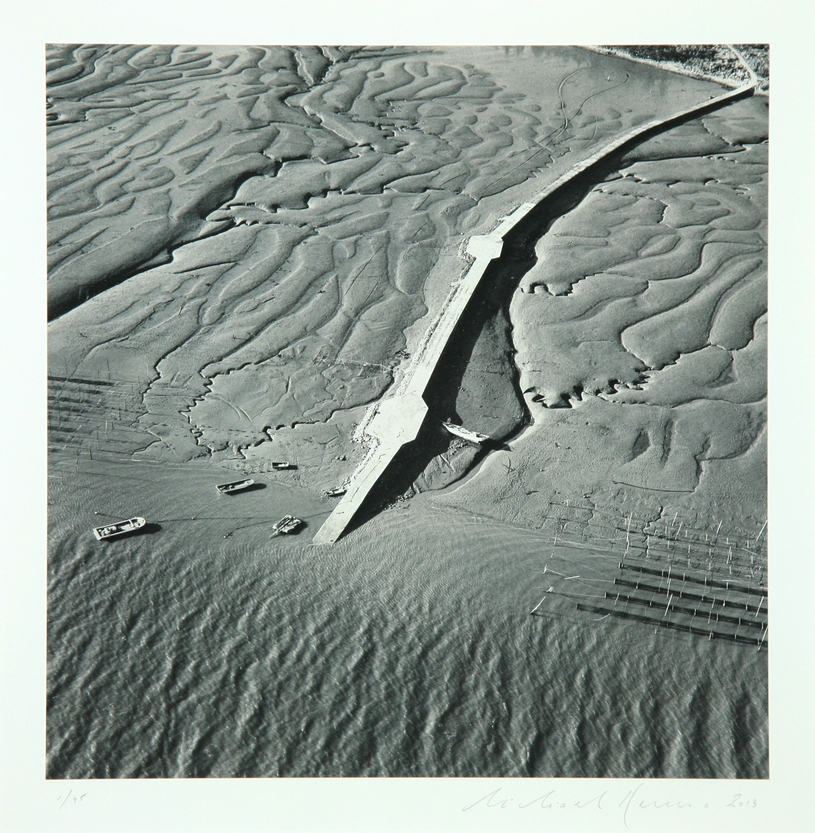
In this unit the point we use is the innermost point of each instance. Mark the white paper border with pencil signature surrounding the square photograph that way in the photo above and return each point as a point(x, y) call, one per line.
point(30, 803)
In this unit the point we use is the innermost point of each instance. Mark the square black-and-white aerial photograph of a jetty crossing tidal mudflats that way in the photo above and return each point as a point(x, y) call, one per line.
point(407, 418)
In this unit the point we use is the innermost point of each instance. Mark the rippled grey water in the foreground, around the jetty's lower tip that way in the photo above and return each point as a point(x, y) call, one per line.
point(407, 649)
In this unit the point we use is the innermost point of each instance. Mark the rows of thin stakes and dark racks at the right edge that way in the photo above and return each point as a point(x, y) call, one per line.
point(671, 575)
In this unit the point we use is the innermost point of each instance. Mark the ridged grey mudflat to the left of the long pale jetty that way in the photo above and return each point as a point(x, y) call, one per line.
point(283, 290)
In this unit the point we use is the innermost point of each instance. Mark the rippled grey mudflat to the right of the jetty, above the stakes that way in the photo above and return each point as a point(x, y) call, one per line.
point(642, 326)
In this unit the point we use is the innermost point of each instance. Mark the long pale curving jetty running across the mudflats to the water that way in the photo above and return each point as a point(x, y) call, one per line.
point(397, 419)
